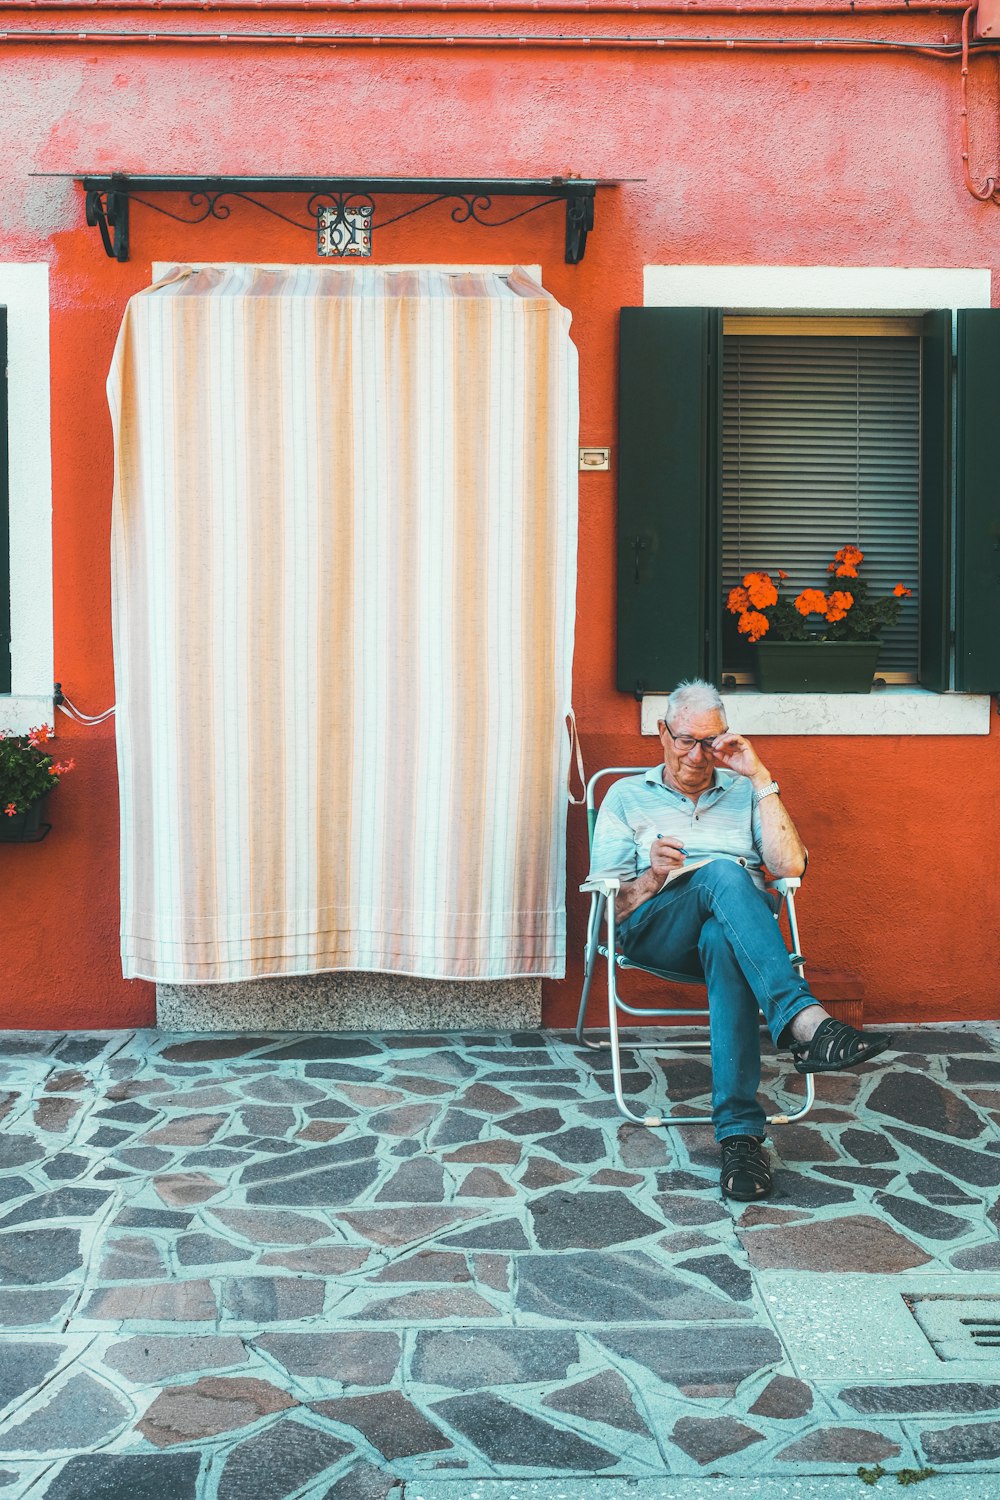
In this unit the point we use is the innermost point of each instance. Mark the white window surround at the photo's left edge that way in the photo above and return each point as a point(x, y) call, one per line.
point(25, 293)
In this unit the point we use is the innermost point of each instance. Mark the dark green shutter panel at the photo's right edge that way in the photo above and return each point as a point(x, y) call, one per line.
point(978, 503)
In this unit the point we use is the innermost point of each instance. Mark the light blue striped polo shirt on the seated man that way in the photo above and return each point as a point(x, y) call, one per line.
point(723, 824)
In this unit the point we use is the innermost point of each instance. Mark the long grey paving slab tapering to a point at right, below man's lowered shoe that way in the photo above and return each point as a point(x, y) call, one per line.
point(624, 1288)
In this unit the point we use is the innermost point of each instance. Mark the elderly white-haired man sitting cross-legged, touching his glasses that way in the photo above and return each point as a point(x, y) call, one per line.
point(714, 799)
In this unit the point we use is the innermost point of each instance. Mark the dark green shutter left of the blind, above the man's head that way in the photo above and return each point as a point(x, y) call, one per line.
point(668, 497)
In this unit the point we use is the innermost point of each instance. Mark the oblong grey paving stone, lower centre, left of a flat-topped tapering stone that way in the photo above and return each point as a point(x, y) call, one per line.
point(469, 1360)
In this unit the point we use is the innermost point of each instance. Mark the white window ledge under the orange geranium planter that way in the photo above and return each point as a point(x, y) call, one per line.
point(884, 712)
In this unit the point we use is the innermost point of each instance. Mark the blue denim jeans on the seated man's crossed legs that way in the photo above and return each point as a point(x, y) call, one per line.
point(719, 926)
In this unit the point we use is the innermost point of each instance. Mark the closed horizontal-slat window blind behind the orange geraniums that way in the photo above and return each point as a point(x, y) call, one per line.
point(822, 448)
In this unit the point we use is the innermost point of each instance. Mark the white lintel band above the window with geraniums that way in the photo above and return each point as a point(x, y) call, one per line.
point(816, 289)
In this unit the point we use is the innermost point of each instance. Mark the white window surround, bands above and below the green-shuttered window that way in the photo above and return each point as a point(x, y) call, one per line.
point(851, 292)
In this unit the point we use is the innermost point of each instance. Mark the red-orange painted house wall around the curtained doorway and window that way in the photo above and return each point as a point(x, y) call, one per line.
point(746, 157)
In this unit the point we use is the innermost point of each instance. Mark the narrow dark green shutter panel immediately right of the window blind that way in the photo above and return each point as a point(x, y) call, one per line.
point(936, 500)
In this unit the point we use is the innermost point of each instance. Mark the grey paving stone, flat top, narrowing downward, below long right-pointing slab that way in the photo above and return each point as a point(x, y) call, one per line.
point(690, 1358)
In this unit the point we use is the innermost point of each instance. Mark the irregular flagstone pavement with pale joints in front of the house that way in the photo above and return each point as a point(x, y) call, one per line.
point(443, 1268)
